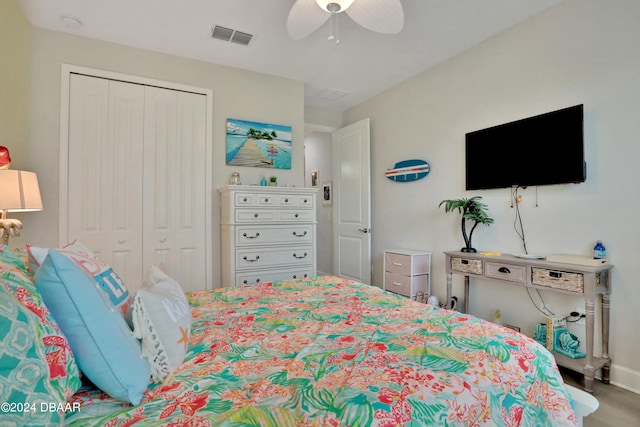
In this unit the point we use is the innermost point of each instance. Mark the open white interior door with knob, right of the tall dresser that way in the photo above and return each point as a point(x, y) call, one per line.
point(351, 202)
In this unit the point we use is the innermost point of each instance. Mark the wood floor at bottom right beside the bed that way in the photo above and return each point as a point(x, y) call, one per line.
point(618, 407)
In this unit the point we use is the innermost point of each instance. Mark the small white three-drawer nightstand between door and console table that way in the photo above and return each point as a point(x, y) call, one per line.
point(407, 272)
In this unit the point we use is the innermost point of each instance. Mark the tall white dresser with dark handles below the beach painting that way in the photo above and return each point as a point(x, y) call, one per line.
point(267, 233)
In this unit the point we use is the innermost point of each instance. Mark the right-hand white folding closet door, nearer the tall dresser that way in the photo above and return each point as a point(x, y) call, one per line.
point(174, 187)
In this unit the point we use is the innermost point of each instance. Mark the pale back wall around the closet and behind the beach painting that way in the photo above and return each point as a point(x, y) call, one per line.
point(237, 94)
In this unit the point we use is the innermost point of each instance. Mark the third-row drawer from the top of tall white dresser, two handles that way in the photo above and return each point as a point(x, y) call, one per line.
point(250, 235)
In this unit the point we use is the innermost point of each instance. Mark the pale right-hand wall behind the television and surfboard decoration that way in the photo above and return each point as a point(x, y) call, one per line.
point(577, 52)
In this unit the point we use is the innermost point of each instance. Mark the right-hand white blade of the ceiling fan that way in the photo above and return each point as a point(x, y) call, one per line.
point(381, 16)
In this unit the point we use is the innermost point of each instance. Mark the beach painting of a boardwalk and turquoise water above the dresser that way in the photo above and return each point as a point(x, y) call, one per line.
point(258, 144)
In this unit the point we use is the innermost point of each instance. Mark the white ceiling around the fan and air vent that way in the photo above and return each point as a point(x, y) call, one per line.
point(363, 64)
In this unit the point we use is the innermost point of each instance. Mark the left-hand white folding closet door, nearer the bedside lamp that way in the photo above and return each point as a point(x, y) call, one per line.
point(105, 173)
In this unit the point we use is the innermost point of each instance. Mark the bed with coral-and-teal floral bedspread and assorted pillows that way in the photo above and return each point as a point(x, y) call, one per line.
point(324, 351)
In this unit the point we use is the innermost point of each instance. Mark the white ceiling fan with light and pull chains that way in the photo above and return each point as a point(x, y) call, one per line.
point(381, 16)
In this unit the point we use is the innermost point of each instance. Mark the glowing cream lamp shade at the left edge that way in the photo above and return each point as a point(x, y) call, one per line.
point(19, 191)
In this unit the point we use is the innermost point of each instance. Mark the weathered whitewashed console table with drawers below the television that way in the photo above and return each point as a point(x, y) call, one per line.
point(590, 282)
